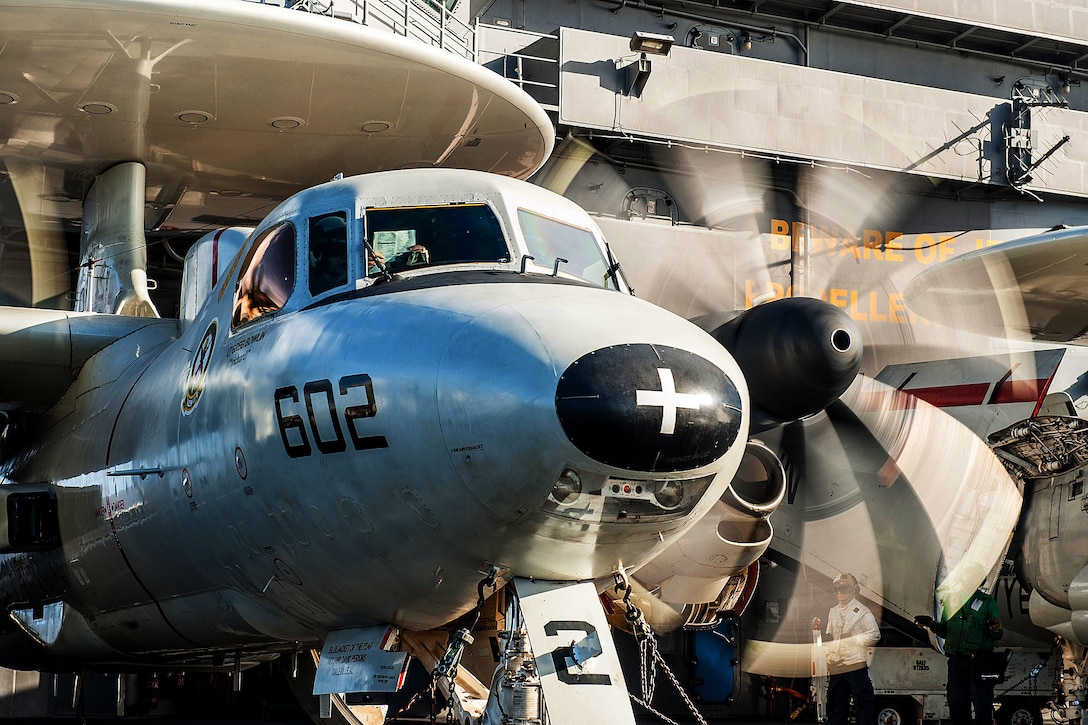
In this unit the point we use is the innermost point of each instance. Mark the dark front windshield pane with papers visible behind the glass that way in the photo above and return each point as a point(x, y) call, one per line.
point(412, 238)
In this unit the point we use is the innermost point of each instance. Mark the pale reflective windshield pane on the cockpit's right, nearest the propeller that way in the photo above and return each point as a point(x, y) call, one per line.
point(549, 240)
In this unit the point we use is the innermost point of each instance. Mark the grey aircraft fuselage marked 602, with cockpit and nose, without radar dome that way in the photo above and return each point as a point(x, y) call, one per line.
point(376, 405)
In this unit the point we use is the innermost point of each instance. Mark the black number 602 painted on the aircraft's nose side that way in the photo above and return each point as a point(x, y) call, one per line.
point(322, 403)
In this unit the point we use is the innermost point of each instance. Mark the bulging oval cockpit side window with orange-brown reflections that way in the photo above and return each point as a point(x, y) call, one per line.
point(268, 275)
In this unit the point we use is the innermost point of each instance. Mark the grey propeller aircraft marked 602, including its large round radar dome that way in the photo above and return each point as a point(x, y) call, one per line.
point(397, 397)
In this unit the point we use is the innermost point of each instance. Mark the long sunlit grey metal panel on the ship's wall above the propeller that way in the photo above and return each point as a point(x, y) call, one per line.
point(774, 109)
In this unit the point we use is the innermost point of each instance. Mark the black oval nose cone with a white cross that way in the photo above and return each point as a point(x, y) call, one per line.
point(649, 409)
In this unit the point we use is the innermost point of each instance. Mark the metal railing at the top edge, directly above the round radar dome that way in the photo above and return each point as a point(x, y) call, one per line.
point(427, 21)
